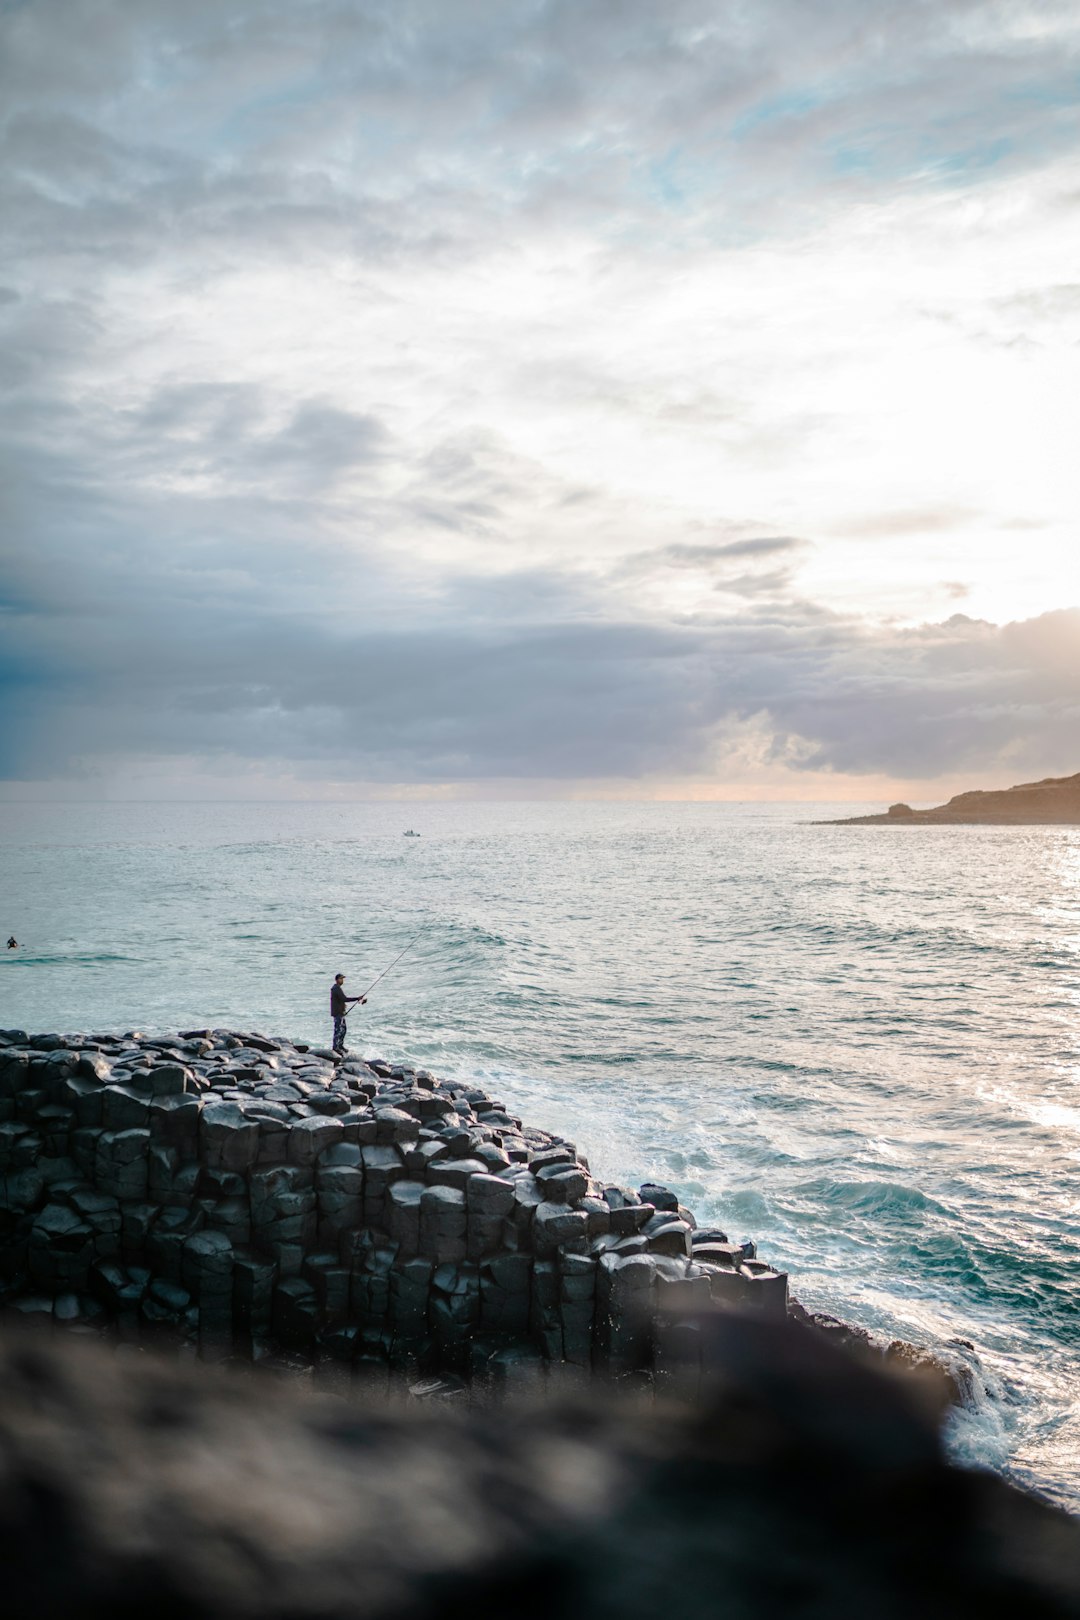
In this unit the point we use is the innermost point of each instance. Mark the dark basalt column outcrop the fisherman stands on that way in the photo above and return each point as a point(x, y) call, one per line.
point(244, 1195)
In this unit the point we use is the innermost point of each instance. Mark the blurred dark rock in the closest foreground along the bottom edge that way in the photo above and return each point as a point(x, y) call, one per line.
point(806, 1485)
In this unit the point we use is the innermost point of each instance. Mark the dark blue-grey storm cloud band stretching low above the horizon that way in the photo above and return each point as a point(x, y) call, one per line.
point(240, 657)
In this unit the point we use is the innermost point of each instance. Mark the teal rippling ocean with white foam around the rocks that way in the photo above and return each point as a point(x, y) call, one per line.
point(857, 1046)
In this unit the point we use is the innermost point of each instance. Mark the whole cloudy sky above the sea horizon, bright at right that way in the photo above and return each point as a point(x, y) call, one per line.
point(545, 399)
